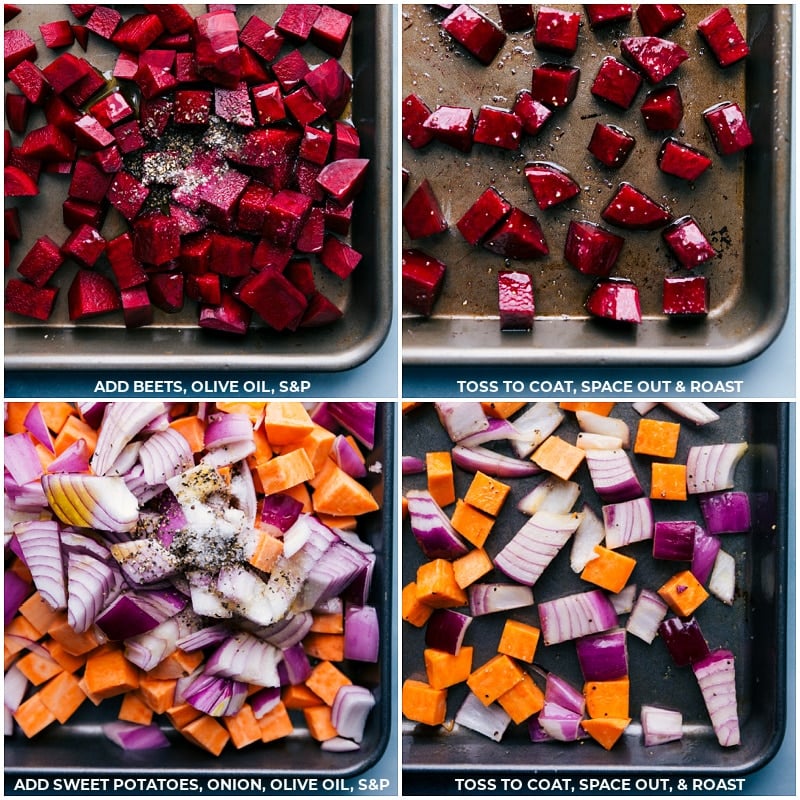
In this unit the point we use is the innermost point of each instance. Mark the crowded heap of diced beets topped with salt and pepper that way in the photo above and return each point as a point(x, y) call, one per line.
point(233, 169)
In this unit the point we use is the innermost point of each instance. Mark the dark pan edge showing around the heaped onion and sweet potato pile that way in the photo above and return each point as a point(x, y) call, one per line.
point(80, 747)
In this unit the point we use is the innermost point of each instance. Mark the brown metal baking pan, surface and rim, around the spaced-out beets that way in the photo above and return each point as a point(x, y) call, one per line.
point(742, 202)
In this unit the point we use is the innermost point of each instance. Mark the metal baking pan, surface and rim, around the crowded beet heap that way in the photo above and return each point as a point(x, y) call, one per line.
point(174, 340)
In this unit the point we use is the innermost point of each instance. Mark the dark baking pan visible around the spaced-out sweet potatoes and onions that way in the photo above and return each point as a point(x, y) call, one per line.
point(753, 628)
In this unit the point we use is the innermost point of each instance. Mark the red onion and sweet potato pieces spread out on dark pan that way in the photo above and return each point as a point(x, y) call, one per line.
point(499, 548)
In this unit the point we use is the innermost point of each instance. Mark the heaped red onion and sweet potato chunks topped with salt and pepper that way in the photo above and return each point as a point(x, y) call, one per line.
point(201, 561)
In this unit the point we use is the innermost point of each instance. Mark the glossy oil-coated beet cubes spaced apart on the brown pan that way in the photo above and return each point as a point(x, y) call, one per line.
point(494, 224)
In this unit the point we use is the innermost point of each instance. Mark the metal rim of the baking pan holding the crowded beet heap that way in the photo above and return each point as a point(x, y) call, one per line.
point(346, 345)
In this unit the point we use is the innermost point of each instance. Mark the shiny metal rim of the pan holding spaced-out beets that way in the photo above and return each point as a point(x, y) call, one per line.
point(454, 341)
